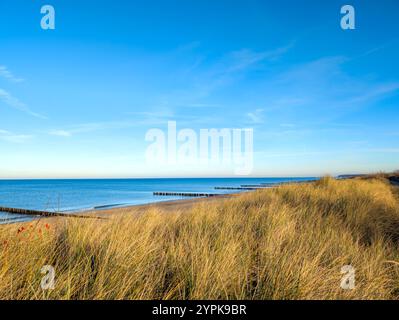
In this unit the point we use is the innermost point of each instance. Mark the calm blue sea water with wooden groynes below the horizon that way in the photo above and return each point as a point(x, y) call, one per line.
point(85, 194)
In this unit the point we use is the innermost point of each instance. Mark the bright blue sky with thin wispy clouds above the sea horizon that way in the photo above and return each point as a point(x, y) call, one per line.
point(77, 101)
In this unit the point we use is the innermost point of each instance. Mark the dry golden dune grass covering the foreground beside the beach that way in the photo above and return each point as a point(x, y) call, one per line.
point(284, 243)
